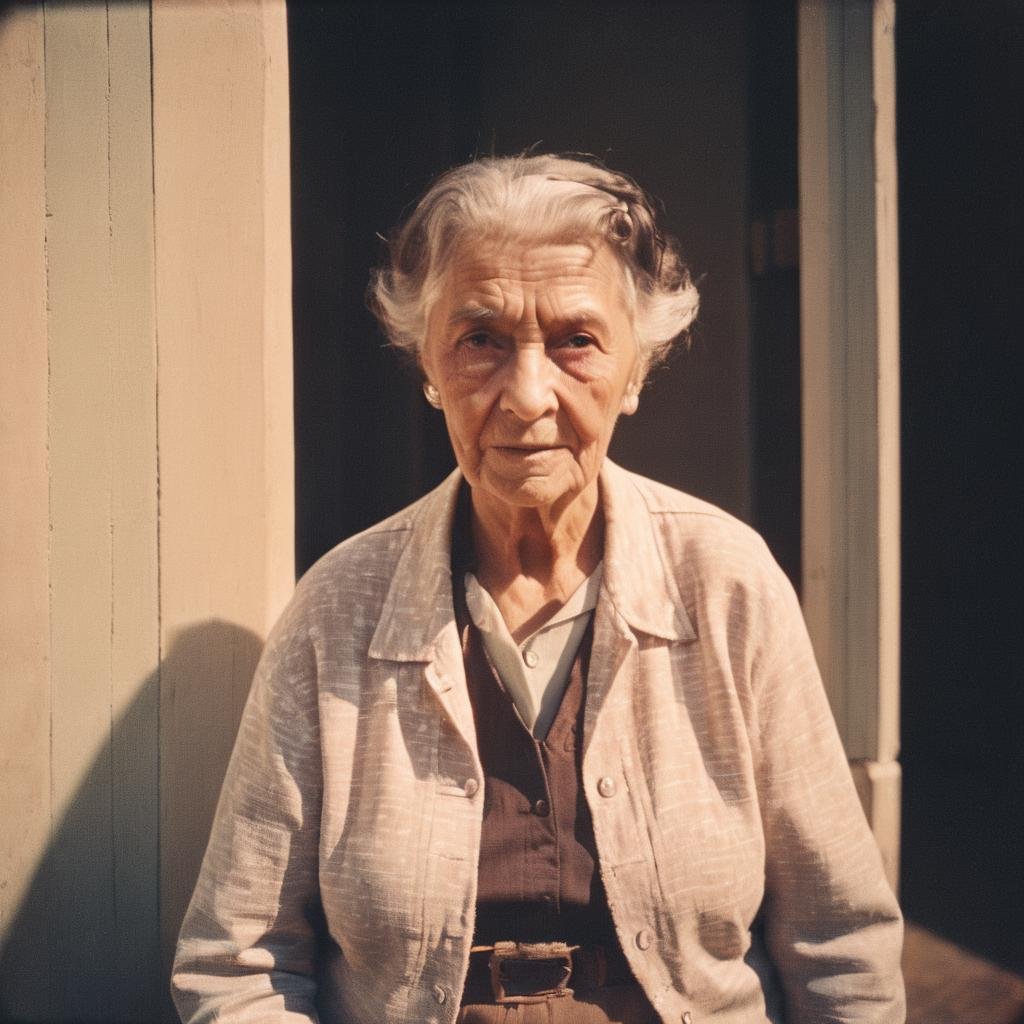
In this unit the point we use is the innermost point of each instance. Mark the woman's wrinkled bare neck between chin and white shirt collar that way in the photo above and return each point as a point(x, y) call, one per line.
point(532, 561)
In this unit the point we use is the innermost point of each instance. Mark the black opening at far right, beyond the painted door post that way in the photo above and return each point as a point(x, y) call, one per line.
point(960, 94)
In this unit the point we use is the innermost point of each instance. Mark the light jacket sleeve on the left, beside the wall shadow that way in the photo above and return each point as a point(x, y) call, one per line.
point(247, 947)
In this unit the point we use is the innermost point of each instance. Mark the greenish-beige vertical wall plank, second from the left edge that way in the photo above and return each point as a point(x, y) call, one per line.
point(81, 329)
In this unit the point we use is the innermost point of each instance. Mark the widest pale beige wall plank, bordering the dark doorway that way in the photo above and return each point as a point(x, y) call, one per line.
point(221, 145)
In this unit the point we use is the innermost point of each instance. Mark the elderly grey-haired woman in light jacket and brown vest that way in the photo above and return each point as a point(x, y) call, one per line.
point(550, 745)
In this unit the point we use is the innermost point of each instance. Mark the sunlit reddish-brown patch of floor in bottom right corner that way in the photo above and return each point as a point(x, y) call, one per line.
point(949, 986)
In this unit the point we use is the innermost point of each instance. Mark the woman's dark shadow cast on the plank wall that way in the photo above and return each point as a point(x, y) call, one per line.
point(86, 945)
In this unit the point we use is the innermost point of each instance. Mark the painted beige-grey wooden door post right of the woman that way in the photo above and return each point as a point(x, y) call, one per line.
point(850, 371)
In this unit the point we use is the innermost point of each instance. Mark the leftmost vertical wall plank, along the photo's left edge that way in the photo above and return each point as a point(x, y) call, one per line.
point(25, 695)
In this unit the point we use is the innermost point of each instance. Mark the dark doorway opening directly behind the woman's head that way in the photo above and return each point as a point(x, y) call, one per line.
point(387, 96)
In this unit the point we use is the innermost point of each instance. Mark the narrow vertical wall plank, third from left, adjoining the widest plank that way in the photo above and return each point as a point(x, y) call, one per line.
point(135, 581)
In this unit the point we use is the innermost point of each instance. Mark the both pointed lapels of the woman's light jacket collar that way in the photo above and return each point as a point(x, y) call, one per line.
point(419, 605)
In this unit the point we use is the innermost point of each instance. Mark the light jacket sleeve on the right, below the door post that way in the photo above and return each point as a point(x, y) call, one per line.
point(832, 923)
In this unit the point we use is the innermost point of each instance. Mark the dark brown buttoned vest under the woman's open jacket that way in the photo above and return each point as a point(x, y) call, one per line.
point(538, 875)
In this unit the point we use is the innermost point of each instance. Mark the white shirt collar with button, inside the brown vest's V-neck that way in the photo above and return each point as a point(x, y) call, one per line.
point(537, 671)
